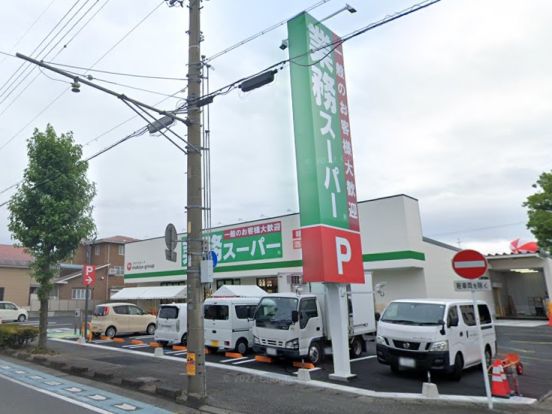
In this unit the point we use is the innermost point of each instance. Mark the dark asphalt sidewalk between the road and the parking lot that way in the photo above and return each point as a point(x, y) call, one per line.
point(231, 391)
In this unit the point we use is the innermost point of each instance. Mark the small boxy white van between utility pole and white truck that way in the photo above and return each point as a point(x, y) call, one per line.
point(228, 322)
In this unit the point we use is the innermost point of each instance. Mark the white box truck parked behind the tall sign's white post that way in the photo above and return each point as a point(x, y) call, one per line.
point(295, 325)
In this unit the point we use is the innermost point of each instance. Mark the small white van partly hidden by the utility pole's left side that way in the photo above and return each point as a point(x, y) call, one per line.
point(172, 324)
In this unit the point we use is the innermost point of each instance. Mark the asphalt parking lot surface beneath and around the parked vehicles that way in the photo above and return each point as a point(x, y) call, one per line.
point(533, 344)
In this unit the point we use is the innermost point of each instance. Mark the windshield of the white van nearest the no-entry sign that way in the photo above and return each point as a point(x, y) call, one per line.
point(412, 313)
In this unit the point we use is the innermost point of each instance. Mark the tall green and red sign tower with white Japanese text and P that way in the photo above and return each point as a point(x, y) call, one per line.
point(327, 194)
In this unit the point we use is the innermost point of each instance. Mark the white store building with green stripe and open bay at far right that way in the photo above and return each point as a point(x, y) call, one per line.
point(403, 262)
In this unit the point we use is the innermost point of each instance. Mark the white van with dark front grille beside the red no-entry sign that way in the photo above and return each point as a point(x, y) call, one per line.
point(436, 334)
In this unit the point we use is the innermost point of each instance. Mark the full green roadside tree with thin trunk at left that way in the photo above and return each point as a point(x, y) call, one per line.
point(51, 212)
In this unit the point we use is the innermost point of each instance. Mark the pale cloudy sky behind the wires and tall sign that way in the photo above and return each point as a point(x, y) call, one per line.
point(448, 105)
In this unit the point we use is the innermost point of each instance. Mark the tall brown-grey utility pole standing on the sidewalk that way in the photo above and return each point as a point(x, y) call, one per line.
point(196, 345)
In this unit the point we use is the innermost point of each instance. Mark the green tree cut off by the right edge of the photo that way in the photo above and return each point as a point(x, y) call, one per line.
point(539, 210)
